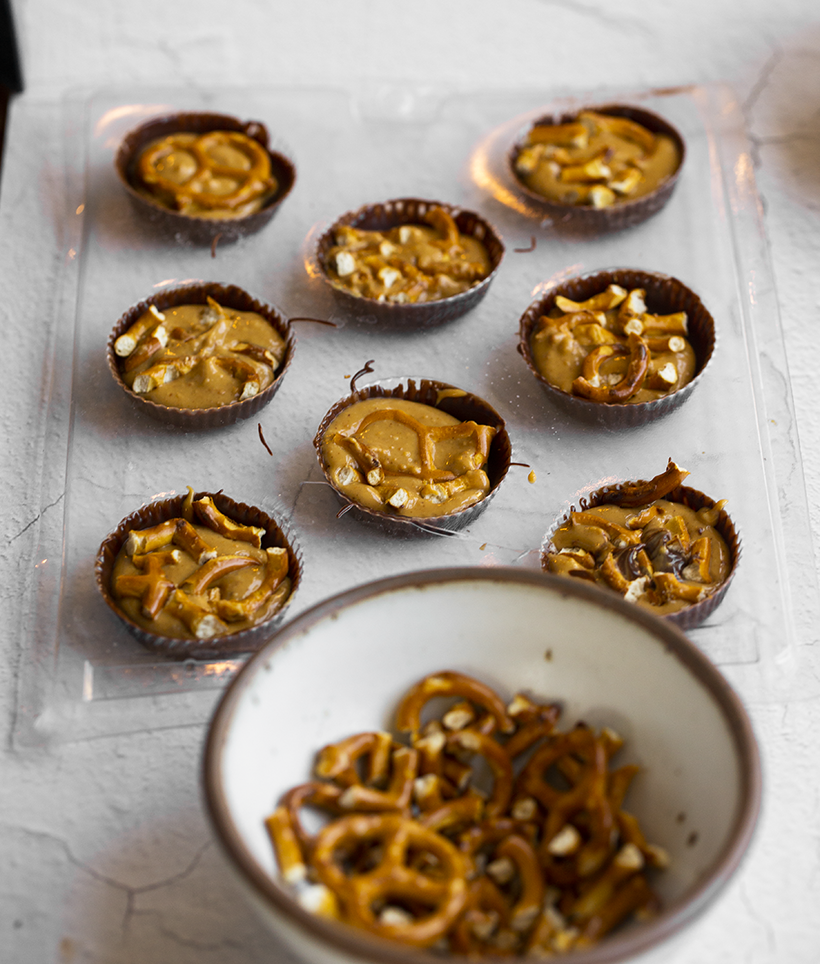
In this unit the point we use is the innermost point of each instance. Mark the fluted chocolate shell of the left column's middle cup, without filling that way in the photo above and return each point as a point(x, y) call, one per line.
point(229, 296)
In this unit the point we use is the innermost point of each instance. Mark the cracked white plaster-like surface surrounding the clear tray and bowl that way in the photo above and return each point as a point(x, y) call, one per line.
point(109, 858)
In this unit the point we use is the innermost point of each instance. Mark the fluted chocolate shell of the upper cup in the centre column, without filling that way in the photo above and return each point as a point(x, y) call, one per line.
point(391, 214)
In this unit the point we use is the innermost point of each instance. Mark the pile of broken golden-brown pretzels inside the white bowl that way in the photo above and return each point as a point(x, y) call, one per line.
point(490, 833)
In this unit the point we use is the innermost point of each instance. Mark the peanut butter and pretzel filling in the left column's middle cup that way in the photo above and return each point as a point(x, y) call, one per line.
point(199, 356)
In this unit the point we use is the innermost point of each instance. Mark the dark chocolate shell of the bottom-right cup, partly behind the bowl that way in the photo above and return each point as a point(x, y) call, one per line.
point(690, 616)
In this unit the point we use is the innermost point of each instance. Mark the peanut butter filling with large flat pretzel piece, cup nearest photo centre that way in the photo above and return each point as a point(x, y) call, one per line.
point(401, 457)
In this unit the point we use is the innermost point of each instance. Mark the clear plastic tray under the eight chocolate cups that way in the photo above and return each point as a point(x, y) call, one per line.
point(85, 675)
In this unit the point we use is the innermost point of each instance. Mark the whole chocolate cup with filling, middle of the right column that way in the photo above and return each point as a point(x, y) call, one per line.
point(619, 347)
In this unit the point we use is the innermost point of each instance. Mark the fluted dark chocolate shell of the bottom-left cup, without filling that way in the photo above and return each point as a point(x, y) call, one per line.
point(244, 641)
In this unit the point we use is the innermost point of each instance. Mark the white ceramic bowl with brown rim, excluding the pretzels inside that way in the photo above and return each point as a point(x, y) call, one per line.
point(341, 668)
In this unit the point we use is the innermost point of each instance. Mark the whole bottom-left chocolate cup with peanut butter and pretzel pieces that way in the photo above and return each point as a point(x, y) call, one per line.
point(199, 575)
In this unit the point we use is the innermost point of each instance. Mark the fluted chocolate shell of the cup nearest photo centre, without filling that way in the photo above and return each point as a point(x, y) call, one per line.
point(466, 407)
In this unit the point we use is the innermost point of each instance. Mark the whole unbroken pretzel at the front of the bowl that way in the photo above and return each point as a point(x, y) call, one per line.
point(392, 880)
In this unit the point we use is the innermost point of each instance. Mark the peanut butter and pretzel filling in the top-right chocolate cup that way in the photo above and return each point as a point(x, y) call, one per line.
point(597, 160)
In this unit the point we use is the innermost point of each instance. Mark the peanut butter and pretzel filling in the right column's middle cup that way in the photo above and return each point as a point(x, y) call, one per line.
point(609, 348)
